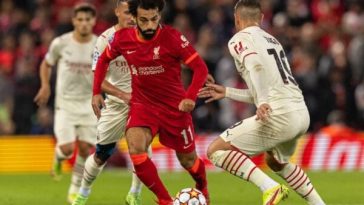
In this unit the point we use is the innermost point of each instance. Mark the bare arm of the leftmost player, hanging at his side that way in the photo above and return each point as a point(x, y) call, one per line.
point(44, 92)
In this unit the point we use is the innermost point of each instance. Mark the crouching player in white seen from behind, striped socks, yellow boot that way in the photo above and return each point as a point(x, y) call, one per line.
point(281, 116)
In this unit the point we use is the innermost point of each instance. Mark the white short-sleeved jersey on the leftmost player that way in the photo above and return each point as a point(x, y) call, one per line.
point(74, 74)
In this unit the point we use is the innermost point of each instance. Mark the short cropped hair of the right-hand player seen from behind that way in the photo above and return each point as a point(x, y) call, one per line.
point(249, 9)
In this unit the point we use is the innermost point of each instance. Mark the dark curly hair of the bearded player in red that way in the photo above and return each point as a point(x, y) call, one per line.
point(145, 4)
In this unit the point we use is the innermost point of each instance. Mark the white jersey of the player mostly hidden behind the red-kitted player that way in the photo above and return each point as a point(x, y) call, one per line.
point(118, 73)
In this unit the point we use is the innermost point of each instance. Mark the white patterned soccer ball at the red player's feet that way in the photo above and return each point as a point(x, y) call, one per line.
point(189, 196)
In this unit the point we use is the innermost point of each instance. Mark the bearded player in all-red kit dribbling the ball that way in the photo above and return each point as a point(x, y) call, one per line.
point(159, 103)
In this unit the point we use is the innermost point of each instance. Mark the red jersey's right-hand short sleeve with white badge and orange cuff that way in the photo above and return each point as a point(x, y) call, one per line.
point(185, 50)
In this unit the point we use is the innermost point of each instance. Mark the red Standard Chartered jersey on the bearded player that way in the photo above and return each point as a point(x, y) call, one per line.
point(155, 65)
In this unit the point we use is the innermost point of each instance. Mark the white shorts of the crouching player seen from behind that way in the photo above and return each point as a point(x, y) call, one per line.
point(279, 134)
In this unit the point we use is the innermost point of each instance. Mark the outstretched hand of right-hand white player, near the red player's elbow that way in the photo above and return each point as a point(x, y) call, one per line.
point(212, 92)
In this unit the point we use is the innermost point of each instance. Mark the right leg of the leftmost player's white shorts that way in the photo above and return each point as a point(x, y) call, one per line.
point(86, 128)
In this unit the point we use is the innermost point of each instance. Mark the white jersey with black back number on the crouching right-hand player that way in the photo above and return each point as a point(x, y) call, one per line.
point(276, 85)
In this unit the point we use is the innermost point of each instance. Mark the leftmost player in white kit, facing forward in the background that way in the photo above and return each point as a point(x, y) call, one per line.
point(72, 53)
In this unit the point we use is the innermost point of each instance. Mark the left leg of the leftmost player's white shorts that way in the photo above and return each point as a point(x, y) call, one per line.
point(64, 127)
